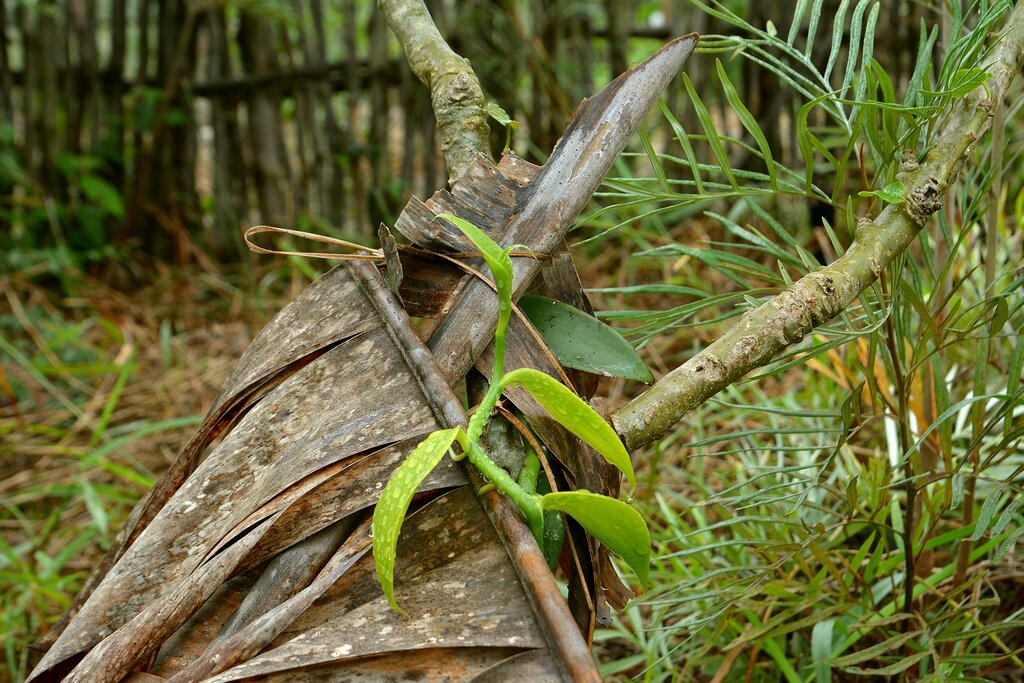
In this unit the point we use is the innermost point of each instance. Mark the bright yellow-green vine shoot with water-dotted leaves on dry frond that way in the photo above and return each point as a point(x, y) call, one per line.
point(614, 523)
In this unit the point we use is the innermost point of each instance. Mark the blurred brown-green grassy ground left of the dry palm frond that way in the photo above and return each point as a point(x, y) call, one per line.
point(99, 391)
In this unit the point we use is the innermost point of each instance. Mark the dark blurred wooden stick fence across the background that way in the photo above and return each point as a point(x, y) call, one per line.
point(164, 124)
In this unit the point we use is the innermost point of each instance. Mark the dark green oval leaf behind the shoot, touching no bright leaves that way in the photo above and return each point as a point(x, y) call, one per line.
point(582, 341)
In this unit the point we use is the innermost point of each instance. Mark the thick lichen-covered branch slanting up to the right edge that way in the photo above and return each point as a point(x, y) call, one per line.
point(820, 296)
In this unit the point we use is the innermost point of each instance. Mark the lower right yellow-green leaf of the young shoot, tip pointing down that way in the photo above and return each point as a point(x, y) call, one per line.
point(612, 522)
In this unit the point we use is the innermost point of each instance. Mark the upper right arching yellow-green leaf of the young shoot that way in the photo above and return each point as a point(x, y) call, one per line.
point(576, 415)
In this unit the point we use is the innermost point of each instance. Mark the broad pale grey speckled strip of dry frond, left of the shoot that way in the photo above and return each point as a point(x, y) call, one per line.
point(326, 419)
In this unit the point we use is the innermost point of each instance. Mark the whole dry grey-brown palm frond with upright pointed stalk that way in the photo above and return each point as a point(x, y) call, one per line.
point(250, 559)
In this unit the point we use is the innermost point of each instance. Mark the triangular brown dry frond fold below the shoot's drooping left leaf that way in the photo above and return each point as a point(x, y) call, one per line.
point(459, 586)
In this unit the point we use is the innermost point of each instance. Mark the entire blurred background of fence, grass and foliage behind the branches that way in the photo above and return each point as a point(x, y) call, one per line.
point(852, 510)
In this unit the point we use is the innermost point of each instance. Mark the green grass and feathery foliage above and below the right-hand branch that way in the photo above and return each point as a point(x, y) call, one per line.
point(854, 510)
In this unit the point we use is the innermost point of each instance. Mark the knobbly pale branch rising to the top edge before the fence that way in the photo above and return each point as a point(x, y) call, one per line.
point(460, 108)
